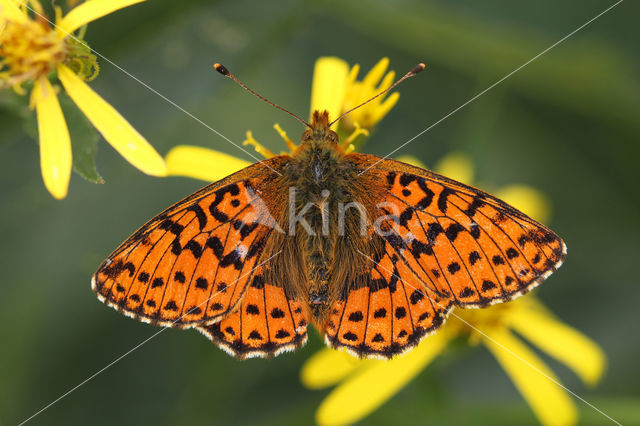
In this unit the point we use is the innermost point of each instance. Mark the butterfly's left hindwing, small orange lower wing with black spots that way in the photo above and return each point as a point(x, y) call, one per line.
point(266, 324)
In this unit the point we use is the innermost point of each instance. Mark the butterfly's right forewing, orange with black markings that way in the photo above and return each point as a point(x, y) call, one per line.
point(481, 249)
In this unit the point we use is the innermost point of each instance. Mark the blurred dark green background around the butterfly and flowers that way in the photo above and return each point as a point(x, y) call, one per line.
point(566, 124)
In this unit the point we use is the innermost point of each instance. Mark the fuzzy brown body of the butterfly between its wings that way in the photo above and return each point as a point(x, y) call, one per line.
point(324, 191)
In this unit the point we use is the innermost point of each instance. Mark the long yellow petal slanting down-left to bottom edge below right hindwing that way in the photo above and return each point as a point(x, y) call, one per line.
point(375, 383)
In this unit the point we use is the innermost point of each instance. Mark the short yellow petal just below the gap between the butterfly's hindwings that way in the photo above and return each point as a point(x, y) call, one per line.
point(327, 367)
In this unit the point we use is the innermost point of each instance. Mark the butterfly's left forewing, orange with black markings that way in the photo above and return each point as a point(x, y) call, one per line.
point(192, 263)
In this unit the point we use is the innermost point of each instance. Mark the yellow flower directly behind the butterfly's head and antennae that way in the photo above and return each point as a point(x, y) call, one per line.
point(335, 88)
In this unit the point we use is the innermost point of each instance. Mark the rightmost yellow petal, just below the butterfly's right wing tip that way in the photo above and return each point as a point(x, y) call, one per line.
point(562, 342)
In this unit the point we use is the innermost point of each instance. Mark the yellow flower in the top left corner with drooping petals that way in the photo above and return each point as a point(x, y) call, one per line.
point(32, 48)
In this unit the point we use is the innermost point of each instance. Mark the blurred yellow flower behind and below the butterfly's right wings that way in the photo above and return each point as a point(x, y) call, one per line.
point(364, 385)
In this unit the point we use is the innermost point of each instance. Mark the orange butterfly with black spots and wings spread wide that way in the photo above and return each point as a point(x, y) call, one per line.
point(373, 252)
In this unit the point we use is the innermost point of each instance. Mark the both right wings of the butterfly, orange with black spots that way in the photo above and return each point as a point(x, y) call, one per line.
point(445, 244)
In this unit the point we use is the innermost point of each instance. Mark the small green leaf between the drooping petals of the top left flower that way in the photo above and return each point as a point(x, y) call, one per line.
point(84, 141)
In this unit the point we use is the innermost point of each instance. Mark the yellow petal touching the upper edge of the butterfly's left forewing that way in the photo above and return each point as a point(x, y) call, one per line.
point(202, 163)
